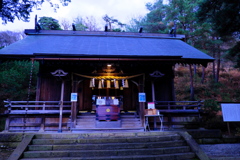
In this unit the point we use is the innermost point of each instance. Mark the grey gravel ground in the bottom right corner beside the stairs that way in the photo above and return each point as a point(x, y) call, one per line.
point(222, 151)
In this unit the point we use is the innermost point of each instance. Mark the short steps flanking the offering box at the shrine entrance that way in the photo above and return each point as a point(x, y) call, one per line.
point(87, 122)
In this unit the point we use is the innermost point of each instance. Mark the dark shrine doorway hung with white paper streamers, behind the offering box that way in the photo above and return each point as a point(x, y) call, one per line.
point(124, 90)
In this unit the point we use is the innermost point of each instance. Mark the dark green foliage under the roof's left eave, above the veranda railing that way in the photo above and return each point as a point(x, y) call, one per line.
point(14, 80)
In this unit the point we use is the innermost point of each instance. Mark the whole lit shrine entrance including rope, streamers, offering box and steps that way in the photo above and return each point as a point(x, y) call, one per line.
point(106, 98)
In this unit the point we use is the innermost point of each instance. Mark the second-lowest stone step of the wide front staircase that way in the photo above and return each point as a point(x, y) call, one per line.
point(97, 153)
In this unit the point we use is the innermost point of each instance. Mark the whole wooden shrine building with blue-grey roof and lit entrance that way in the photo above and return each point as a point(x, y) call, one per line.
point(97, 80)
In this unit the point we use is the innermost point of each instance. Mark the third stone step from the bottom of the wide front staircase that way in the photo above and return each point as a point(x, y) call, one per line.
point(109, 146)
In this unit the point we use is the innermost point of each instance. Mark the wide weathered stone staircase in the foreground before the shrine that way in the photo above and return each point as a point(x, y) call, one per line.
point(104, 146)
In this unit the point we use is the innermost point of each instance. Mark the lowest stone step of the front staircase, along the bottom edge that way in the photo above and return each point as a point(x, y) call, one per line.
point(179, 156)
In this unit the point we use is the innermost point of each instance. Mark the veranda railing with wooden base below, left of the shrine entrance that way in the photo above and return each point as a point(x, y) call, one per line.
point(37, 115)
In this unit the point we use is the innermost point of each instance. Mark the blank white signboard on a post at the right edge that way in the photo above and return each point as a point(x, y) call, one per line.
point(231, 112)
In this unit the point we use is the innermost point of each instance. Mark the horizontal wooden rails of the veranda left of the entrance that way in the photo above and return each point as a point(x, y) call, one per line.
point(37, 107)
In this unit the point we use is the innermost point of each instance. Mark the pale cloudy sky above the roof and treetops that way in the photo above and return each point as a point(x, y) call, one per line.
point(123, 10)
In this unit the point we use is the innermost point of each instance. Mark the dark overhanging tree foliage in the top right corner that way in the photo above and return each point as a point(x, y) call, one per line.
point(225, 17)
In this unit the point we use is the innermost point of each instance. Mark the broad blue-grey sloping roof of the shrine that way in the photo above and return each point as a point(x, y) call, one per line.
point(102, 44)
